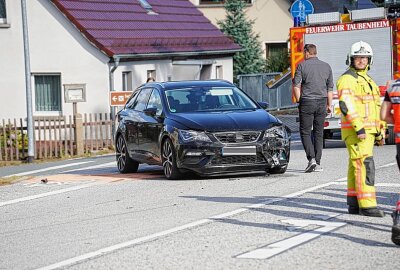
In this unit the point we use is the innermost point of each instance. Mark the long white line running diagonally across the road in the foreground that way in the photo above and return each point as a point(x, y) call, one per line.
point(110, 249)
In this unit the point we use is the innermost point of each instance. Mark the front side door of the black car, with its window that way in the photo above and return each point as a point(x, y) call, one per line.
point(151, 128)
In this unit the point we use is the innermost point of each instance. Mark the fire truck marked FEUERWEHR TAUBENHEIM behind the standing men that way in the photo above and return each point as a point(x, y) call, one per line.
point(333, 33)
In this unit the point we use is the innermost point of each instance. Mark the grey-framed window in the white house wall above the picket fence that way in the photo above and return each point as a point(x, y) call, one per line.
point(47, 93)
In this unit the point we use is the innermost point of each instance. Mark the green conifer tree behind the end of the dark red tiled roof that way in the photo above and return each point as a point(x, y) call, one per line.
point(237, 26)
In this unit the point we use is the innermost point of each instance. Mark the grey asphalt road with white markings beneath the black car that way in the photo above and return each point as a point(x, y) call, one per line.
point(82, 214)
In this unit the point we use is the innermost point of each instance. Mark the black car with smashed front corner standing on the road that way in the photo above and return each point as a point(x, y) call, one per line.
point(207, 127)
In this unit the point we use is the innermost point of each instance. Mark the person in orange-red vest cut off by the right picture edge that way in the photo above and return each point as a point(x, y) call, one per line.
point(390, 104)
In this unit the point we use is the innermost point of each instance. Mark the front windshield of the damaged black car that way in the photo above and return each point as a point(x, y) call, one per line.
point(208, 99)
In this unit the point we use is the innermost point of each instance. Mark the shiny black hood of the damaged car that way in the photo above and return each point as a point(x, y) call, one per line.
point(229, 120)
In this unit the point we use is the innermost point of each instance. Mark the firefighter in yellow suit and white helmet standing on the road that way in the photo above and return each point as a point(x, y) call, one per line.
point(361, 128)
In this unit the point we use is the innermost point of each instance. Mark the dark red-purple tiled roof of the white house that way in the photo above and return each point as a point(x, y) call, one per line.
point(125, 27)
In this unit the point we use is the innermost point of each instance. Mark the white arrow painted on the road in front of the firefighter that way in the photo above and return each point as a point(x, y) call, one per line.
point(284, 245)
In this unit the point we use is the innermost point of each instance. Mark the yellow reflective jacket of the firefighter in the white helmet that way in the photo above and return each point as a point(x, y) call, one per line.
point(360, 104)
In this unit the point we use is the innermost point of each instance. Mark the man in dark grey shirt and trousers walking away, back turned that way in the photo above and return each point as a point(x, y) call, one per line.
point(313, 86)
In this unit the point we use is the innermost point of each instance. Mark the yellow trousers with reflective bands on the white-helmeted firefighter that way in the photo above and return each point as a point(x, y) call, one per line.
point(361, 172)
